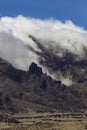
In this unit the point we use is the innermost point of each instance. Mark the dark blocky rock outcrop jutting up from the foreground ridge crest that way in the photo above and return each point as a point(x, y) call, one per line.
point(35, 69)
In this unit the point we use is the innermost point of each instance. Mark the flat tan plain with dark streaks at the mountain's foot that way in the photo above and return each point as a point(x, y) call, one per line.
point(46, 121)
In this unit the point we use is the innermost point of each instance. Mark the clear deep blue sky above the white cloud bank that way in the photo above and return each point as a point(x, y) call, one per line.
point(74, 10)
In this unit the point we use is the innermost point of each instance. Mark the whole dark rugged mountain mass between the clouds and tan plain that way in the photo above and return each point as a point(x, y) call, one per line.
point(34, 90)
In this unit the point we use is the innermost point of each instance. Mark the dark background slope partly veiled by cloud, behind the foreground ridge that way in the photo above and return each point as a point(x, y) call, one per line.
point(69, 66)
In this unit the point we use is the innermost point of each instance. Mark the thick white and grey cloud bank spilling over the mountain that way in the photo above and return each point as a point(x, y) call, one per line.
point(24, 40)
